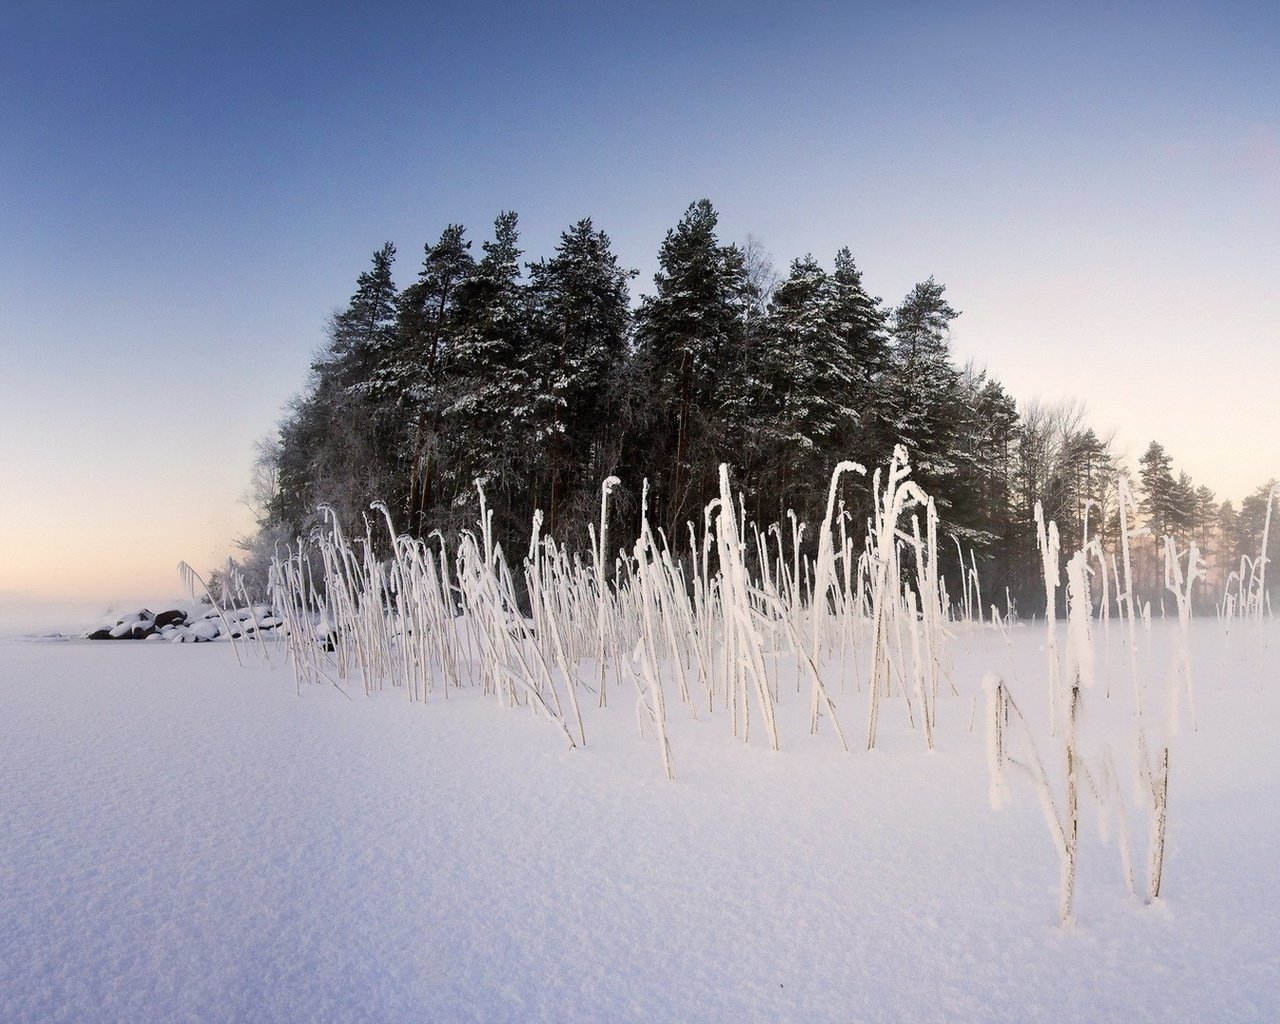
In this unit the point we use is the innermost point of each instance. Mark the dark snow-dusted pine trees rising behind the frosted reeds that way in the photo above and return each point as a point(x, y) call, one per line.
point(540, 381)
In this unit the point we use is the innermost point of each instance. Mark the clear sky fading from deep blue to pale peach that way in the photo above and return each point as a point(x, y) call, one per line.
point(189, 191)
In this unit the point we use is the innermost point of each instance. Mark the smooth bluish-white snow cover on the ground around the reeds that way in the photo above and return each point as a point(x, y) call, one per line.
point(182, 840)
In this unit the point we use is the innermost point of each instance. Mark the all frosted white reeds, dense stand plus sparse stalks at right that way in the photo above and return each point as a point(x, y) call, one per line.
point(733, 623)
